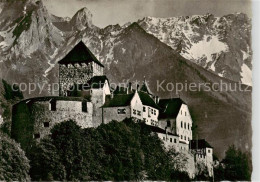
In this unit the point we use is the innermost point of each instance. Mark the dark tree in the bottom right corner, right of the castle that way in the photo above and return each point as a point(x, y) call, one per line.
point(236, 165)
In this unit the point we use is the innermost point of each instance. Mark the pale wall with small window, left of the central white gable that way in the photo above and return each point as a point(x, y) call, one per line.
point(116, 113)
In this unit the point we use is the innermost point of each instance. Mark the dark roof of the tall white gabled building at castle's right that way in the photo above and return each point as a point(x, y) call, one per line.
point(170, 107)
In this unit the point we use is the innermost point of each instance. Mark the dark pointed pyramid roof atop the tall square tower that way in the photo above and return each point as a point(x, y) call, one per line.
point(79, 54)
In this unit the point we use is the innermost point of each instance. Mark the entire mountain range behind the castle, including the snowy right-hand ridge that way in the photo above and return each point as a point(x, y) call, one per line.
point(164, 50)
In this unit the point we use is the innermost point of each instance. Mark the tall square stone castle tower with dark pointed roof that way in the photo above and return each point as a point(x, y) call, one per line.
point(77, 67)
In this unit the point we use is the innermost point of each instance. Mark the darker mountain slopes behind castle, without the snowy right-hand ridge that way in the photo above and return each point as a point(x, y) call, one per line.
point(128, 53)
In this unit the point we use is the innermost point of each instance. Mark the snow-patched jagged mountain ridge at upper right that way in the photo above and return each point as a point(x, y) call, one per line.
point(219, 44)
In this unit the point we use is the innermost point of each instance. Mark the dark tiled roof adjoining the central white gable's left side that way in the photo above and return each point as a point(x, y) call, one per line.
point(118, 100)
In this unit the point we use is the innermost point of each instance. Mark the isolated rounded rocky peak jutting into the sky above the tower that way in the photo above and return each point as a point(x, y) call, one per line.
point(82, 19)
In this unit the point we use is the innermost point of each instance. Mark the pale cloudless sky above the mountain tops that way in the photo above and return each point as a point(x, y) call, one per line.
point(107, 12)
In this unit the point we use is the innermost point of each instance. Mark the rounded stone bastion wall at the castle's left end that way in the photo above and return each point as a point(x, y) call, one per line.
point(33, 119)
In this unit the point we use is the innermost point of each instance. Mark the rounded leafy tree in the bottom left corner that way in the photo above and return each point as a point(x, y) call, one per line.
point(14, 166)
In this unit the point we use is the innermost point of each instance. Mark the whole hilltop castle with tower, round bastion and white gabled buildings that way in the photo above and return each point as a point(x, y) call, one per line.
point(94, 102)
